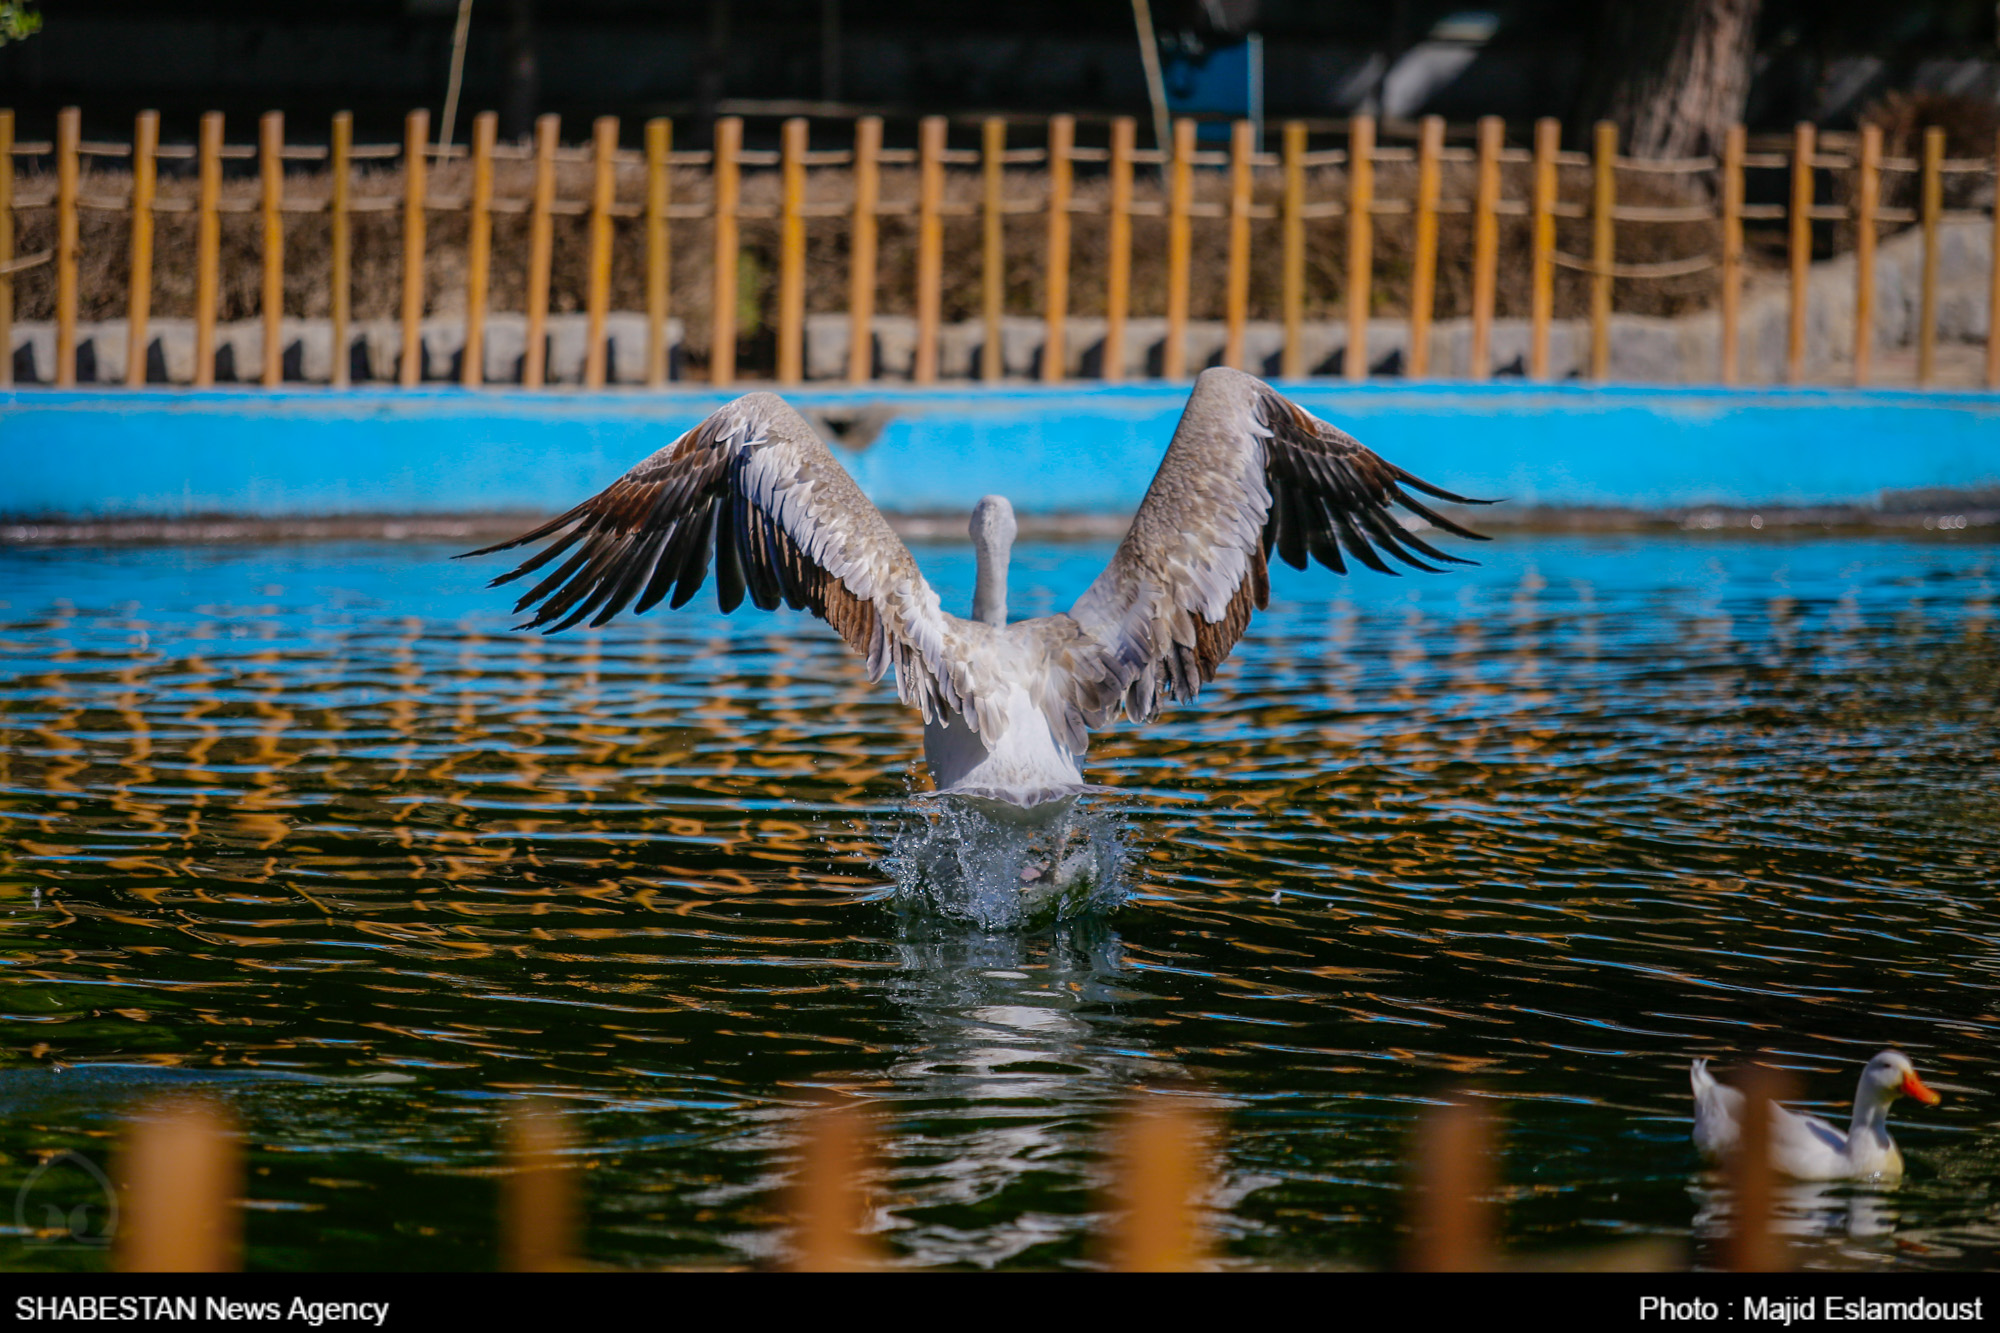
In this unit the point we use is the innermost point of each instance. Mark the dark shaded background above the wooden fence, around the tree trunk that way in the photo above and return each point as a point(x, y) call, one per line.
point(639, 59)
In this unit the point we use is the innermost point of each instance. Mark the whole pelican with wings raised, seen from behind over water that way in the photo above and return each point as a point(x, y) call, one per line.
point(1009, 710)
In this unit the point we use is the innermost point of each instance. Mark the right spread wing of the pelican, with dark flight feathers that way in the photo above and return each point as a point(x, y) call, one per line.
point(1249, 471)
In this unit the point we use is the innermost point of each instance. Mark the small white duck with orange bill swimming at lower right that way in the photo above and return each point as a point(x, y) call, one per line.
point(1805, 1146)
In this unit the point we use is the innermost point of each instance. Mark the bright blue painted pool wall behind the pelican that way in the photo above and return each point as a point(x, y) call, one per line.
point(1071, 449)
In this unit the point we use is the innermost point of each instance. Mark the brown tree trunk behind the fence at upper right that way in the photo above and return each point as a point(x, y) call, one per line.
point(1673, 75)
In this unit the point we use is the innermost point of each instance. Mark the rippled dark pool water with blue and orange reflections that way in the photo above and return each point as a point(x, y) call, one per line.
point(289, 820)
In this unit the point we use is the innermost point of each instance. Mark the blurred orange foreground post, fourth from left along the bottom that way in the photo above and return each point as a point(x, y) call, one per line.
point(1159, 1186)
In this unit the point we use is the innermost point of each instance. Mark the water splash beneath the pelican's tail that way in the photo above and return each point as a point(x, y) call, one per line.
point(969, 862)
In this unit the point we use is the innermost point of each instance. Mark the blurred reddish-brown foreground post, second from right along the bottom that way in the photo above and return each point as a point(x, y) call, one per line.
point(1451, 1226)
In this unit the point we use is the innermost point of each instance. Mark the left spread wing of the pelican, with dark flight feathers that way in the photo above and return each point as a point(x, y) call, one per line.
point(755, 489)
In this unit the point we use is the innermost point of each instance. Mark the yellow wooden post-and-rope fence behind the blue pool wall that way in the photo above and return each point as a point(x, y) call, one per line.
point(1717, 195)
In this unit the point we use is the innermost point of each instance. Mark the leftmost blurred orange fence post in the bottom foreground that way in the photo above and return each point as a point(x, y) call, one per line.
point(181, 1180)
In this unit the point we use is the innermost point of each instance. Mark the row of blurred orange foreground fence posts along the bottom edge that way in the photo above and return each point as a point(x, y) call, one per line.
point(181, 1180)
